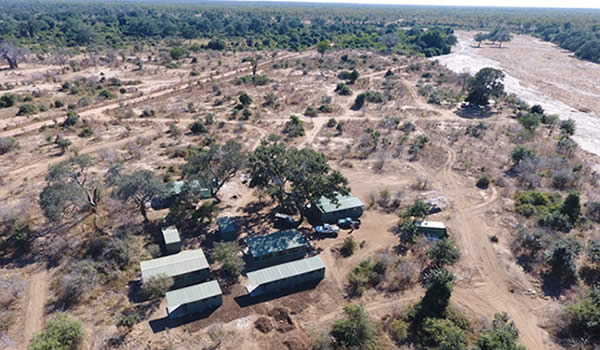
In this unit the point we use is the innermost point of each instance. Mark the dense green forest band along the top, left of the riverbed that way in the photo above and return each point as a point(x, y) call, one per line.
point(48, 24)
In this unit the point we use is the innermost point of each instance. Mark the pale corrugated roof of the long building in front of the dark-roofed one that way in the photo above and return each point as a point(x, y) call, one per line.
point(286, 270)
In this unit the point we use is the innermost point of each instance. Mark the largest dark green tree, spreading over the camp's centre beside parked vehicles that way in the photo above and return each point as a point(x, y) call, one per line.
point(292, 177)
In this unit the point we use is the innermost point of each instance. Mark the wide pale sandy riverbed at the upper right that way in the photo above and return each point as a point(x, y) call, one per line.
point(540, 73)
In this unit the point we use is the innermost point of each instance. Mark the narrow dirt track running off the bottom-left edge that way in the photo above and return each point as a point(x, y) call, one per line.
point(34, 309)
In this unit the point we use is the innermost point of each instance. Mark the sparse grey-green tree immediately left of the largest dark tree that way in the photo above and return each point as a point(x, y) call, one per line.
point(215, 166)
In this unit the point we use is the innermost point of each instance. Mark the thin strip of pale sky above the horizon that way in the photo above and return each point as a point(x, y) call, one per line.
point(505, 3)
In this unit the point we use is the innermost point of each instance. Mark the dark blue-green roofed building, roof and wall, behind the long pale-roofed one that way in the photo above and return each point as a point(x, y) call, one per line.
point(276, 248)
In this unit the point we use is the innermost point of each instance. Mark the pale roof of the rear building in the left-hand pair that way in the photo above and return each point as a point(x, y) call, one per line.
point(175, 265)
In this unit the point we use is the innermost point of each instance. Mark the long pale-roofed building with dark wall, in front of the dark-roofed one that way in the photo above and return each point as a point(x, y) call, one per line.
point(286, 276)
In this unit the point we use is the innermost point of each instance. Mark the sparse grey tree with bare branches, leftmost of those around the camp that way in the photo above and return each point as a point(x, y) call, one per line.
point(69, 188)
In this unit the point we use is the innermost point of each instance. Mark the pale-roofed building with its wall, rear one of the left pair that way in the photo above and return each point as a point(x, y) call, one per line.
point(186, 268)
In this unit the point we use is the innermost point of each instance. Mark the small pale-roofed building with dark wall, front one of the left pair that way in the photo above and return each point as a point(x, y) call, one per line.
point(194, 299)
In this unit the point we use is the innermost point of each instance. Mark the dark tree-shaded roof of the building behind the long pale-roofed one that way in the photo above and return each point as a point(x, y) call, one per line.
point(275, 242)
